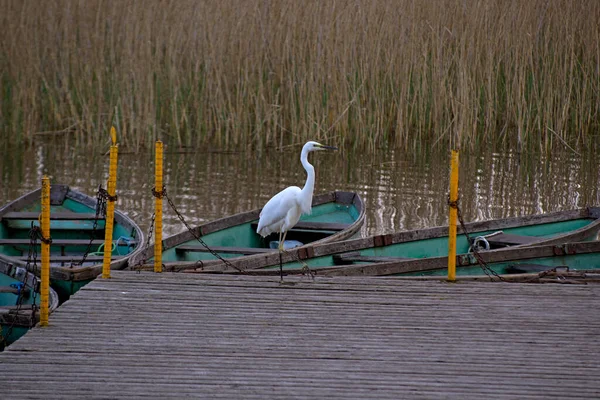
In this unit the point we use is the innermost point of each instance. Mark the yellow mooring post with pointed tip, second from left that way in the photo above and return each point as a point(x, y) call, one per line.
point(110, 207)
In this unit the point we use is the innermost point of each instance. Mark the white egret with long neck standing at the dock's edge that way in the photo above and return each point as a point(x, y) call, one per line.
point(283, 211)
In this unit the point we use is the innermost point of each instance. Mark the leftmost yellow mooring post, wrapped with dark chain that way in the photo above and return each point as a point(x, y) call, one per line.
point(45, 275)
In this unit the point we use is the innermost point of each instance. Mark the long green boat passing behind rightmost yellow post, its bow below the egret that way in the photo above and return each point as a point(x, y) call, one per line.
point(424, 244)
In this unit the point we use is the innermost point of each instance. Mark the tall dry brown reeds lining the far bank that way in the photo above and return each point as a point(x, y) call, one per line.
point(369, 73)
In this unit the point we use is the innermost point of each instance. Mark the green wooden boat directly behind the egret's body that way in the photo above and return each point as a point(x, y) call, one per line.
point(335, 216)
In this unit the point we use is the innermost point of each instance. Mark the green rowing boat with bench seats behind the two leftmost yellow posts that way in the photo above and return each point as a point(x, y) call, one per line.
point(76, 230)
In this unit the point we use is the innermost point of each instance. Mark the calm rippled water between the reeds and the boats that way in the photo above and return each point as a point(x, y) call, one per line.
point(401, 191)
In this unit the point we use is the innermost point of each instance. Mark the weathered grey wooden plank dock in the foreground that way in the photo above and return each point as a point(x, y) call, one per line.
point(240, 337)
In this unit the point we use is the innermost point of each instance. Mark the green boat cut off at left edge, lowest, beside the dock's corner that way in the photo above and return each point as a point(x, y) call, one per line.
point(19, 291)
